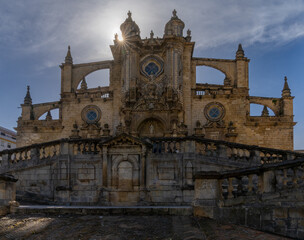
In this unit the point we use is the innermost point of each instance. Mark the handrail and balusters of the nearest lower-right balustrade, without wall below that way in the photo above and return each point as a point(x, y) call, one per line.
point(256, 181)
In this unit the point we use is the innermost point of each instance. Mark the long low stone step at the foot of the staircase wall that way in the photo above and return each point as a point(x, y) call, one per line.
point(106, 210)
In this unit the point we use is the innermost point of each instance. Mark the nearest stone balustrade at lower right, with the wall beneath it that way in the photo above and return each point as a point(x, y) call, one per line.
point(268, 197)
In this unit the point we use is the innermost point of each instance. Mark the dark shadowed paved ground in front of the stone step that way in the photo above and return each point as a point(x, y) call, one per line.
point(92, 227)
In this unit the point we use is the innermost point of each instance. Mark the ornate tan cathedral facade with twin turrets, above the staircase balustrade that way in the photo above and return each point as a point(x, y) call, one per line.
point(153, 92)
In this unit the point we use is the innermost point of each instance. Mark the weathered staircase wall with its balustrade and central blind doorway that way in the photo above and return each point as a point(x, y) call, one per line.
point(124, 170)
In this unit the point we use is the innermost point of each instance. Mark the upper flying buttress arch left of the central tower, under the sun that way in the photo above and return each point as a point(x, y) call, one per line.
point(82, 70)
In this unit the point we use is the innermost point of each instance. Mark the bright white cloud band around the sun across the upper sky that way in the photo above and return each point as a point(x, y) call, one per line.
point(37, 27)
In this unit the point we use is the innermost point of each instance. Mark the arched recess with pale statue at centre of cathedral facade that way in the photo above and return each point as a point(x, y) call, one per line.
point(151, 128)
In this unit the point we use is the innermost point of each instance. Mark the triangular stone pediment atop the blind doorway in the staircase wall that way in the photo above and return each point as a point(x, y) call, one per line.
point(124, 140)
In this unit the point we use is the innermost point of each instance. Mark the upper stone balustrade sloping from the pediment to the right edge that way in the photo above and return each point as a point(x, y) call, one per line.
point(222, 149)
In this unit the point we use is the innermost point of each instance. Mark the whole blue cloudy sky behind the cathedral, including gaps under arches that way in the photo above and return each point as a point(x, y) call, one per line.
point(34, 35)
